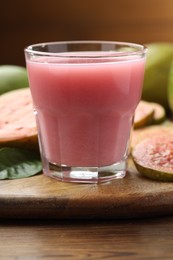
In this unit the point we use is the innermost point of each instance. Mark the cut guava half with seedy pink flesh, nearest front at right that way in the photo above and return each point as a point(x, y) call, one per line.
point(153, 157)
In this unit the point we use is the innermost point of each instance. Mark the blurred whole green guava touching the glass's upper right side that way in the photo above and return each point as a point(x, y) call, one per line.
point(158, 62)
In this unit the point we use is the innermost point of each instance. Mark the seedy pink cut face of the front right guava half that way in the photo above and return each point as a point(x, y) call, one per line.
point(155, 152)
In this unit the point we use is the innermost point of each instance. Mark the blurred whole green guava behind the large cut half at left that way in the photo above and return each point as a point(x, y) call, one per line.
point(12, 77)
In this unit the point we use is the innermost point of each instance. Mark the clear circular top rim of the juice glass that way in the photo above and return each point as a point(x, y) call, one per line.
point(139, 49)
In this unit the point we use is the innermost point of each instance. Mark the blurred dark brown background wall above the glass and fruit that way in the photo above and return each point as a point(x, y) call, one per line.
point(25, 22)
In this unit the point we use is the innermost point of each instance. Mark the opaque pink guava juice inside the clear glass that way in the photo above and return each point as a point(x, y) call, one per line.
point(85, 110)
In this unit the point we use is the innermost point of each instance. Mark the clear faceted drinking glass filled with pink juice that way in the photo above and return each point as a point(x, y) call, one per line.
point(84, 95)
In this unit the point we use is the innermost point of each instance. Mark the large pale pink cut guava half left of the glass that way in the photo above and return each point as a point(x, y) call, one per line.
point(17, 120)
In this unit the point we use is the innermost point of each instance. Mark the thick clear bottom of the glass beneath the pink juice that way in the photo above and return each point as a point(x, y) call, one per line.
point(86, 174)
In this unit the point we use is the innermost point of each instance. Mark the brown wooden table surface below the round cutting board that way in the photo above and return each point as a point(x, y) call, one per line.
point(119, 239)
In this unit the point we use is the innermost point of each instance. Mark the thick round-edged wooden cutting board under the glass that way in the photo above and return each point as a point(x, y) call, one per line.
point(42, 197)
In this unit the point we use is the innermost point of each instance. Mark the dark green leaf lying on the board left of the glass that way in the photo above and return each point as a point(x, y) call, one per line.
point(16, 163)
